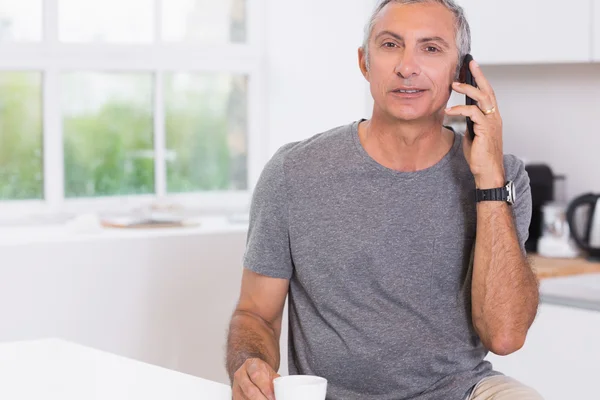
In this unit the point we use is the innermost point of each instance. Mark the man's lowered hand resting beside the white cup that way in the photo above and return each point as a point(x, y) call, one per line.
point(254, 381)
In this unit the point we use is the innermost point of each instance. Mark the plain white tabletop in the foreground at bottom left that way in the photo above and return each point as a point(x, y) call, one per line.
point(57, 370)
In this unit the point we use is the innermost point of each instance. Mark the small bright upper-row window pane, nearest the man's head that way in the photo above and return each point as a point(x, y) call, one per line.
point(210, 21)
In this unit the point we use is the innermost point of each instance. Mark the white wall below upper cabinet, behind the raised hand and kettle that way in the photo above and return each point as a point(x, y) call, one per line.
point(551, 114)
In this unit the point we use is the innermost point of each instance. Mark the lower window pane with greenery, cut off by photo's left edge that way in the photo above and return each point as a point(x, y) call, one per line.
point(21, 136)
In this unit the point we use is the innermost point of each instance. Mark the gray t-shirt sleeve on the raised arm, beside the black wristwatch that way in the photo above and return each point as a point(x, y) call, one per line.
point(523, 205)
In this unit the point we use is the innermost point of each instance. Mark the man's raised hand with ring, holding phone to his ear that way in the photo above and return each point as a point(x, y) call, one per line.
point(485, 153)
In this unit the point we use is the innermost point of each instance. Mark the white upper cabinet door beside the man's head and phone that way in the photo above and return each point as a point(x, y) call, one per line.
point(529, 31)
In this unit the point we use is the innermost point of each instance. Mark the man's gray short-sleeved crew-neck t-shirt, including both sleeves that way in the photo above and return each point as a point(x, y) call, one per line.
point(379, 263)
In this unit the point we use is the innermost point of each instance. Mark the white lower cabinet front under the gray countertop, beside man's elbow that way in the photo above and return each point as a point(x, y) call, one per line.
point(561, 357)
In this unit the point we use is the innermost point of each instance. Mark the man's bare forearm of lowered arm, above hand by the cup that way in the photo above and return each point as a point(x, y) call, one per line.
point(250, 337)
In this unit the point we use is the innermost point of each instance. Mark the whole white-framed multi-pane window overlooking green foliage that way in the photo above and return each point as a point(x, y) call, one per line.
point(104, 99)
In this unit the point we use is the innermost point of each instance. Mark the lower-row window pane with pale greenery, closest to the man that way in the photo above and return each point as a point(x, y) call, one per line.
point(206, 131)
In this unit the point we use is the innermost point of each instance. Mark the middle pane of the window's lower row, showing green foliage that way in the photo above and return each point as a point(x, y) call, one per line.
point(108, 134)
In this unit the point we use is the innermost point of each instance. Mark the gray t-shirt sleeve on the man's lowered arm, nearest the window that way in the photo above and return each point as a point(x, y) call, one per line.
point(268, 242)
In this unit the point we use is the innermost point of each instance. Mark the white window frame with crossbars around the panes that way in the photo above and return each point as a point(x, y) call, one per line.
point(52, 57)
